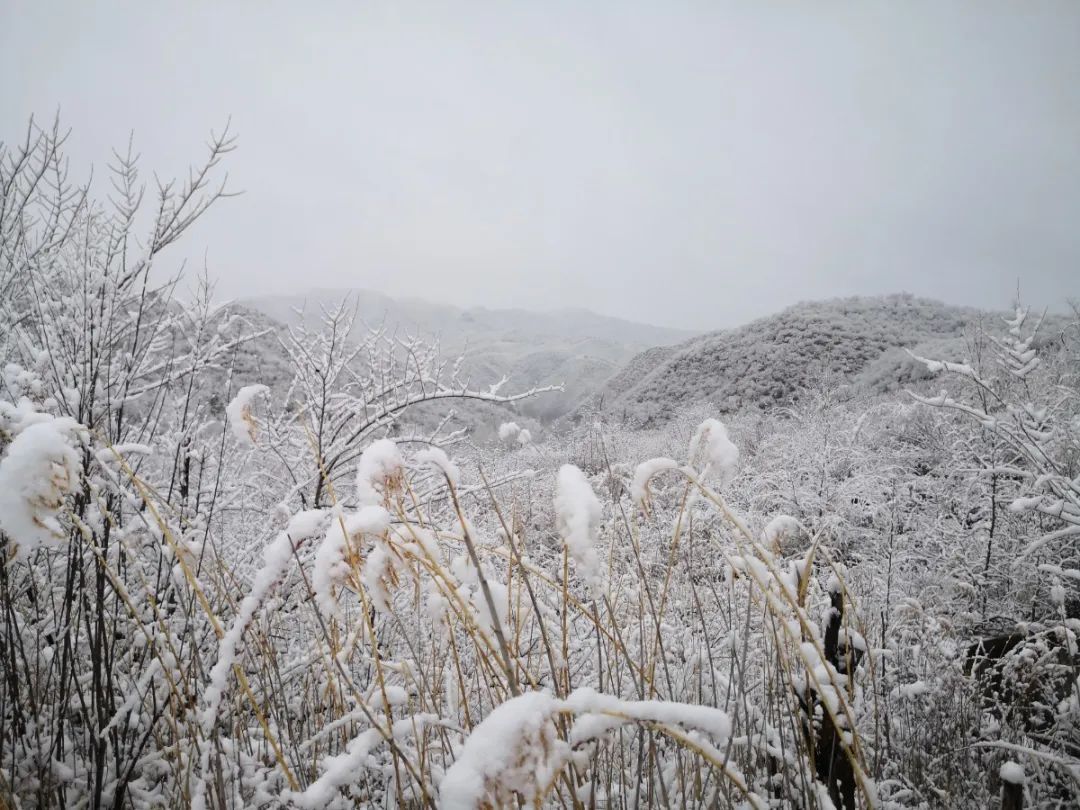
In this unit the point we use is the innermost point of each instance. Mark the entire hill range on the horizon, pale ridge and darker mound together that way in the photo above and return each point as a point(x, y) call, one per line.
point(609, 366)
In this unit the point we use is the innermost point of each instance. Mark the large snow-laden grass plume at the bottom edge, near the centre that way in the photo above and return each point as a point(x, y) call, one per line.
point(515, 749)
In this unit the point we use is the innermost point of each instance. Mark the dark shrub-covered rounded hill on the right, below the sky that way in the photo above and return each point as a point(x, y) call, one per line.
point(768, 362)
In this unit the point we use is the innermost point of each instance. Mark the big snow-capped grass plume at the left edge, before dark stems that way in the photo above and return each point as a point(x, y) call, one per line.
point(38, 471)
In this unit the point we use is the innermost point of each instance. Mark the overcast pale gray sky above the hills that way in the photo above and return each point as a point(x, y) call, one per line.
point(685, 165)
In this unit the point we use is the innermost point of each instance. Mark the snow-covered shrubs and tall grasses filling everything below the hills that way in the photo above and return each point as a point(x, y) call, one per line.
point(775, 611)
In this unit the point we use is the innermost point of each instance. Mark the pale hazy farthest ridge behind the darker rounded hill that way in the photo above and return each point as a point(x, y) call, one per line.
point(573, 347)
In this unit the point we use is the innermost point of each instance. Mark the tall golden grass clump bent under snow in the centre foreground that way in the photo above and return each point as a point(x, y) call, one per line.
point(487, 672)
